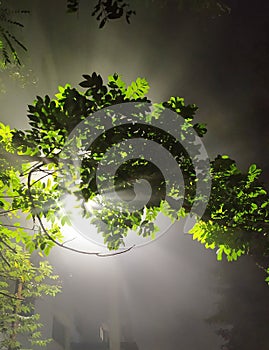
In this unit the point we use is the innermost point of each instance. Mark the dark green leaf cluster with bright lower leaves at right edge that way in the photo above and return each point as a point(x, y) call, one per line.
point(236, 219)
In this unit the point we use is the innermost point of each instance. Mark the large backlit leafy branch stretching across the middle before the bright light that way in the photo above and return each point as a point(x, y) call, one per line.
point(235, 219)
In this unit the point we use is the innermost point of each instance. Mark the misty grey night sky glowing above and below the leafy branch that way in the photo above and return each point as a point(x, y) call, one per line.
point(164, 292)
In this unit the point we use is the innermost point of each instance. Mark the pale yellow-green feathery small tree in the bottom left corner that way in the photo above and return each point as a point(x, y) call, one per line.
point(21, 282)
